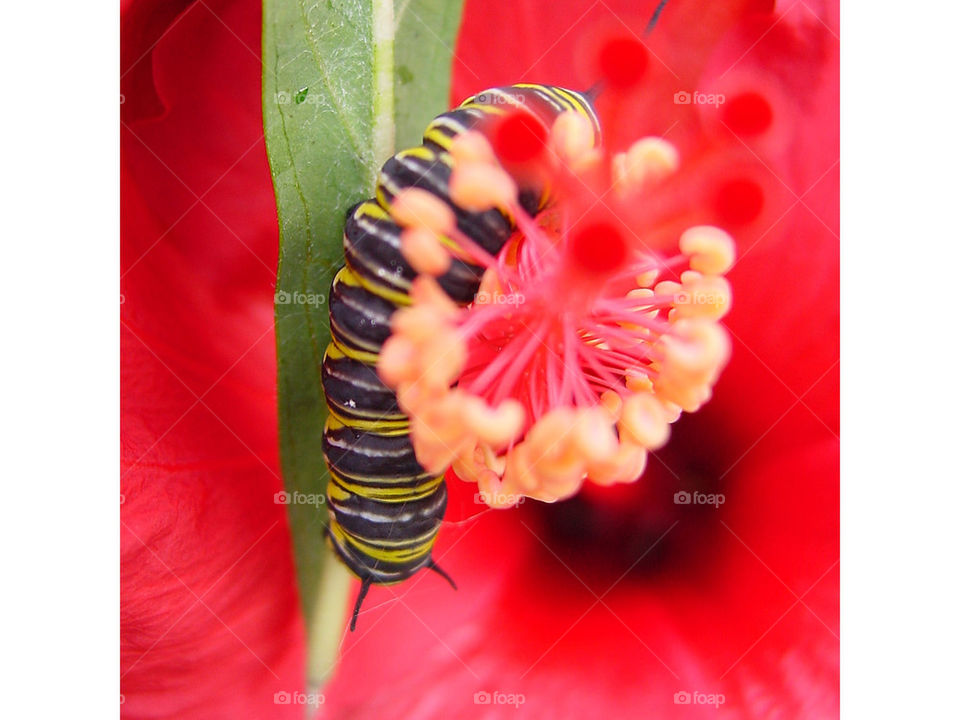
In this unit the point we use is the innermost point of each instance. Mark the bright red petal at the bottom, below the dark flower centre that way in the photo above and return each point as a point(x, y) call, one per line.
point(728, 622)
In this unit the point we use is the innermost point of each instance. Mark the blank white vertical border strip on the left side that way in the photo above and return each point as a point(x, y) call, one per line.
point(60, 397)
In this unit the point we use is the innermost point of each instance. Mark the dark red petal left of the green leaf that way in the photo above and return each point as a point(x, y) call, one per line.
point(210, 622)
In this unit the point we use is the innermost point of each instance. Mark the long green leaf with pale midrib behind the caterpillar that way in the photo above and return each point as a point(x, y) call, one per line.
point(334, 99)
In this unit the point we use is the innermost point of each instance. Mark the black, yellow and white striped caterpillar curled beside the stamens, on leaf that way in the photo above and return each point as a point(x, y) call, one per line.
point(385, 509)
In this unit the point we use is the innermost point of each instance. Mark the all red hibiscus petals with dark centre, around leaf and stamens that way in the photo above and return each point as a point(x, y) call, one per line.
point(619, 602)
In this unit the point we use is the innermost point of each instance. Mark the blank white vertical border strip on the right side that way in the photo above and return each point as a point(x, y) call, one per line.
point(900, 358)
